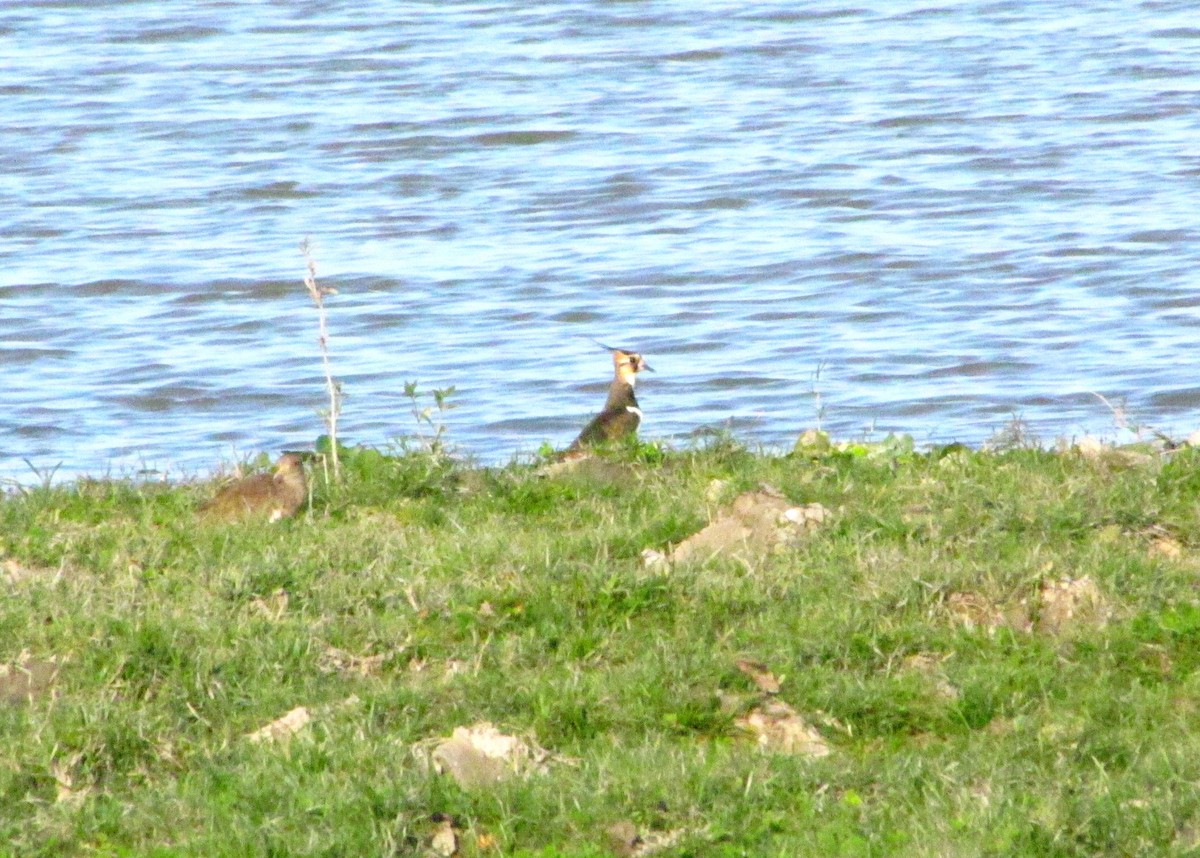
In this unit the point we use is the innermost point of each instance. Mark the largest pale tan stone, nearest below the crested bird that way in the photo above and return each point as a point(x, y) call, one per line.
point(757, 523)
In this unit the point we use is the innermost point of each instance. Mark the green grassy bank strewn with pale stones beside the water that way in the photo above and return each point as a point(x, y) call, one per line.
point(965, 712)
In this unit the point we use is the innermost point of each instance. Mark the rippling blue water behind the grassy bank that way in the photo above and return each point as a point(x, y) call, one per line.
point(958, 214)
